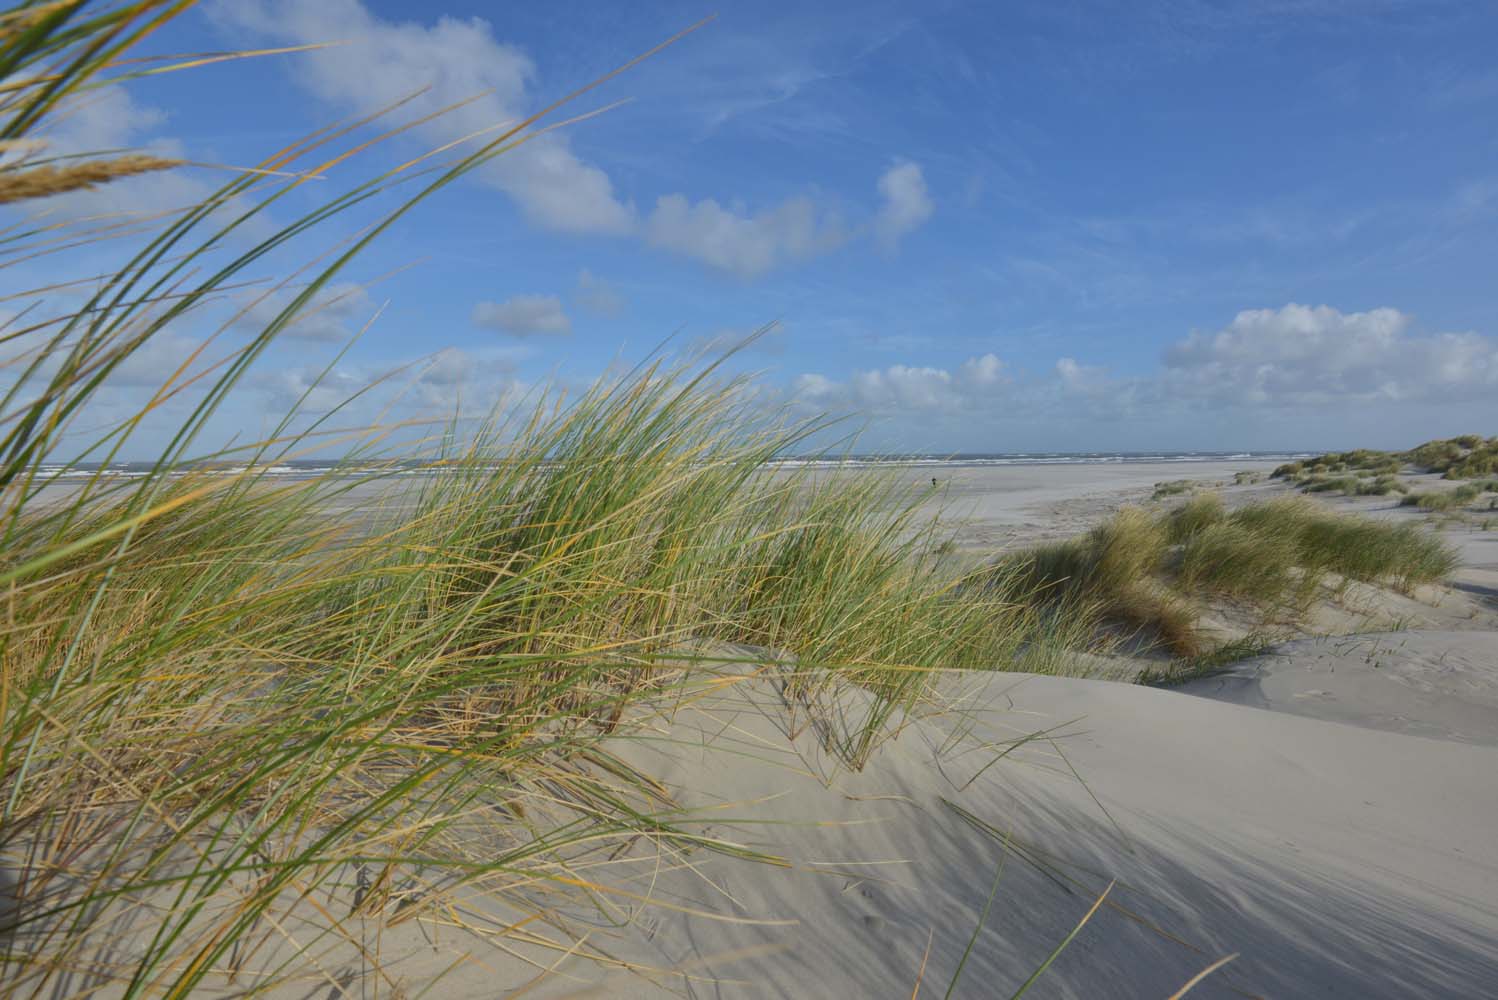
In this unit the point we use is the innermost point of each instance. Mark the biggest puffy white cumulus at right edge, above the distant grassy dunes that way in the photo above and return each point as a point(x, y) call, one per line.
point(1301, 354)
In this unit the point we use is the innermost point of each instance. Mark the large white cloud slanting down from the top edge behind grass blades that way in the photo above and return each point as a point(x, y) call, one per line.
point(383, 62)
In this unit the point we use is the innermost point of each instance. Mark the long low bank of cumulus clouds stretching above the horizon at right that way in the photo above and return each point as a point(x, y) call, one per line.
point(1294, 369)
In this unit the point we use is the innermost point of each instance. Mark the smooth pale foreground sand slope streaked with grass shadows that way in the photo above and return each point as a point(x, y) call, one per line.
point(1337, 862)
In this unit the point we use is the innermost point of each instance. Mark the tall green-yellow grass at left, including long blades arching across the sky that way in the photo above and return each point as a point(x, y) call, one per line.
point(234, 719)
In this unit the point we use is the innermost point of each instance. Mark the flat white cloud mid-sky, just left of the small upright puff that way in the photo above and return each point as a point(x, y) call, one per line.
point(744, 245)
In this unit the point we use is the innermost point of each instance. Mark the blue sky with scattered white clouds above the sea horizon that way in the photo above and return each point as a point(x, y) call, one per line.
point(976, 227)
